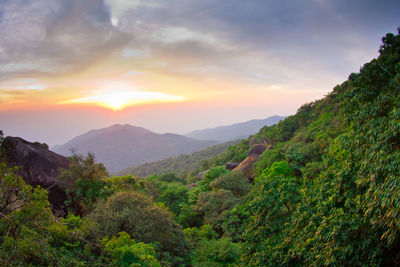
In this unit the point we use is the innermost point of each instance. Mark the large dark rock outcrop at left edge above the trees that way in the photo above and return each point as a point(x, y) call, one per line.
point(37, 166)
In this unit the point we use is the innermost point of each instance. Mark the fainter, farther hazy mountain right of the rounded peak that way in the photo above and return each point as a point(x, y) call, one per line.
point(234, 131)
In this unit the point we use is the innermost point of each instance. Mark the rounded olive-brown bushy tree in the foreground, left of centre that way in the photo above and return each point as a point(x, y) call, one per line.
point(138, 216)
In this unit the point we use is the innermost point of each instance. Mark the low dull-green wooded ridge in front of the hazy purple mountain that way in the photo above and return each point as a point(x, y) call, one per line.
point(182, 165)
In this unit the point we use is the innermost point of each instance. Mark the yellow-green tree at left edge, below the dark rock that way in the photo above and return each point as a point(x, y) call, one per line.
point(24, 216)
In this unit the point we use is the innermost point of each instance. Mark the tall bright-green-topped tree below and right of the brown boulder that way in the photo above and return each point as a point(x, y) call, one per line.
point(276, 196)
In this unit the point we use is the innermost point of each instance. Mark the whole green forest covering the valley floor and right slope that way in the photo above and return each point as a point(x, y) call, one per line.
point(325, 192)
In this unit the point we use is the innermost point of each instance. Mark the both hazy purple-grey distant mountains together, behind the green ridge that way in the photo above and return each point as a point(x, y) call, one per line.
point(125, 146)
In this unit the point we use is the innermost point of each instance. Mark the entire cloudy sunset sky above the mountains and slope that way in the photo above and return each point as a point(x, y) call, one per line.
point(68, 66)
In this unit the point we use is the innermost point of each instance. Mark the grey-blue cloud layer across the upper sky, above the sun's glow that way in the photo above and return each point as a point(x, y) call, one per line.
point(255, 42)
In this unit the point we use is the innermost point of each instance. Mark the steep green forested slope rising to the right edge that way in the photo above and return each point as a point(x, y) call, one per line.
point(327, 192)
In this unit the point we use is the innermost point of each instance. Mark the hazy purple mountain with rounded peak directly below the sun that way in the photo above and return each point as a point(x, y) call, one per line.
point(122, 146)
